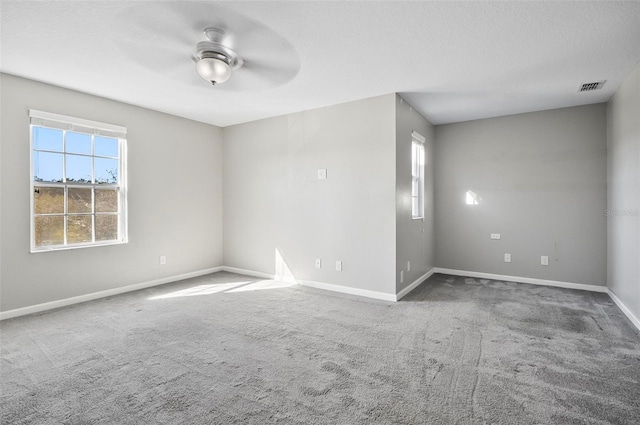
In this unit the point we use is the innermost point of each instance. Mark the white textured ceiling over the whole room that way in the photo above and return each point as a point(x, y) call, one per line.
point(453, 61)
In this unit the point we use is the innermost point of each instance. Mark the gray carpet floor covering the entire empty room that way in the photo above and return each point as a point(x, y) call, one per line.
point(222, 349)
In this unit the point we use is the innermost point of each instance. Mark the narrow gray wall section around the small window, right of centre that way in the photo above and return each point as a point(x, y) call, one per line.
point(415, 239)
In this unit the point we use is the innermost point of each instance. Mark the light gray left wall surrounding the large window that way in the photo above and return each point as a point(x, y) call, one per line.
point(175, 199)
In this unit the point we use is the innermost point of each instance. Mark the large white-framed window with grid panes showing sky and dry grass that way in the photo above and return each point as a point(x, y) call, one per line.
point(78, 183)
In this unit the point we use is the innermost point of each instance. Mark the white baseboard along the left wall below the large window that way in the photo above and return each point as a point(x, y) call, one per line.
point(102, 294)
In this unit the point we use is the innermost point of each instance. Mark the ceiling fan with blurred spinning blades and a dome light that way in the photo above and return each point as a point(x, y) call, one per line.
point(237, 50)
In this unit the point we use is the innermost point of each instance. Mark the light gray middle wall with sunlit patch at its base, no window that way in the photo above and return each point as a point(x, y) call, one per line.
point(275, 202)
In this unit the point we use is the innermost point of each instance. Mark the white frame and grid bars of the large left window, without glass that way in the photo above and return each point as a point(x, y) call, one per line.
point(92, 128)
